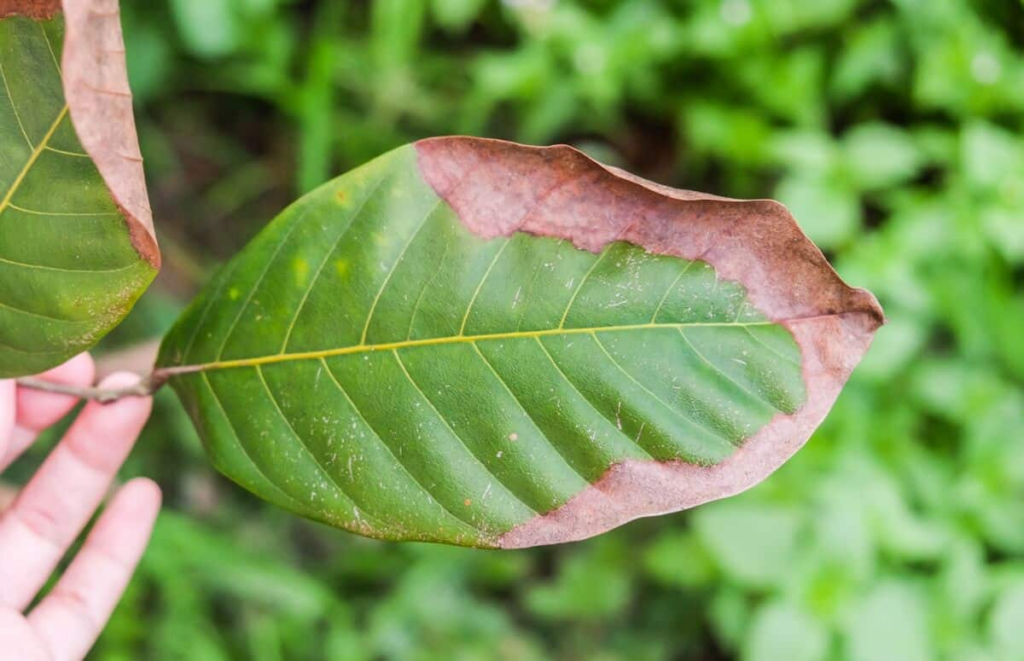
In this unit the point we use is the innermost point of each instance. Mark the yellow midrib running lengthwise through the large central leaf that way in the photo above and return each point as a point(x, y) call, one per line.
point(460, 339)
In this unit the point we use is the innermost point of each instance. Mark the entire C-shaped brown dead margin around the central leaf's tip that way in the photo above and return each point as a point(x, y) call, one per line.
point(498, 189)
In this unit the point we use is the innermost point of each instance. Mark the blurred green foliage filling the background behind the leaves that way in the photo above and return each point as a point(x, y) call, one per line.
point(892, 129)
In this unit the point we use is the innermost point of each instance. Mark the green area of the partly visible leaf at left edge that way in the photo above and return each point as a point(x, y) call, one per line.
point(68, 270)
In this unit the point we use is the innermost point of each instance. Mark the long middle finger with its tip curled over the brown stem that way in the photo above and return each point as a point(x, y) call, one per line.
point(58, 503)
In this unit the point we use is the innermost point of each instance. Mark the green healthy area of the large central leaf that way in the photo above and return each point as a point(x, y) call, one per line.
point(370, 363)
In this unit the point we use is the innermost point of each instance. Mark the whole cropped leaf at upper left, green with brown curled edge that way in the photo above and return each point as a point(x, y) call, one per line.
point(77, 245)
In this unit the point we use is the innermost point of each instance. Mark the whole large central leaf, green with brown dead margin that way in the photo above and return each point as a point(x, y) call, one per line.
point(488, 344)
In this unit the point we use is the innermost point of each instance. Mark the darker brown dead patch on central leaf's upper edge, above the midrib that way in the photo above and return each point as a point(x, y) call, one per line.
point(501, 188)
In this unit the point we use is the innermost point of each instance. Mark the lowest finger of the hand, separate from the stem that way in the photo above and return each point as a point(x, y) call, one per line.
point(71, 618)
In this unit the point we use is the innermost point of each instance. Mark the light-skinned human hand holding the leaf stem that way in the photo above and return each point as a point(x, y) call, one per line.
point(51, 512)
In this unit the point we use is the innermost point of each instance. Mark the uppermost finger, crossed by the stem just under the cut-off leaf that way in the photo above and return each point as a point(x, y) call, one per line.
point(38, 410)
